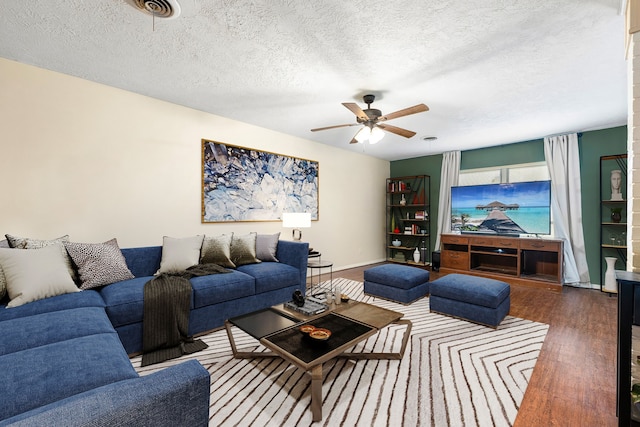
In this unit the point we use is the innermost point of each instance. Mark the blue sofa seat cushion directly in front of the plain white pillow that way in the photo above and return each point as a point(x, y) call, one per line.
point(61, 302)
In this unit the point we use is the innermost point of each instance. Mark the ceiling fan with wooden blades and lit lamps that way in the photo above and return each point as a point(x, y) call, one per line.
point(372, 120)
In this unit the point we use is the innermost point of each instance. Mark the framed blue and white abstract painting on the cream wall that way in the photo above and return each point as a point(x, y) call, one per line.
point(243, 184)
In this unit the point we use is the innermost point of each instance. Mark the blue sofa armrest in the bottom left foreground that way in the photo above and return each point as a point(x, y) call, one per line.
point(175, 396)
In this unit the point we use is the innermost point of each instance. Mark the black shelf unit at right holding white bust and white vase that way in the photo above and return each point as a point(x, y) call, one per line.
point(613, 242)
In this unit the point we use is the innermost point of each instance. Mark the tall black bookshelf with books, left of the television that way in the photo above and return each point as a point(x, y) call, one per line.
point(408, 219)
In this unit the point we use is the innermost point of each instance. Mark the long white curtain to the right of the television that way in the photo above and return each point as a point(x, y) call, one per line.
point(562, 156)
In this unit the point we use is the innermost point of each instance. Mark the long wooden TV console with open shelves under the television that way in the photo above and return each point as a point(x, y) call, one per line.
point(526, 261)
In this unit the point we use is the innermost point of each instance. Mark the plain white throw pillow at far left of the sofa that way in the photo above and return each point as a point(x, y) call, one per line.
point(35, 274)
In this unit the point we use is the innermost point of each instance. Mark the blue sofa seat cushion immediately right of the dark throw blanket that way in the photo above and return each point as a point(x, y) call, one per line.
point(217, 288)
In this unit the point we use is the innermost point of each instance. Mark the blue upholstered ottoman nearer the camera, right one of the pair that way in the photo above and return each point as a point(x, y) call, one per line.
point(477, 299)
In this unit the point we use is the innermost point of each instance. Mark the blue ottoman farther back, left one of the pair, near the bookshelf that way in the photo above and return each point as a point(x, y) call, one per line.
point(396, 282)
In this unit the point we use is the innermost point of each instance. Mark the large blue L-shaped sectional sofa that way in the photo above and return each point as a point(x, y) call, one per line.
point(64, 359)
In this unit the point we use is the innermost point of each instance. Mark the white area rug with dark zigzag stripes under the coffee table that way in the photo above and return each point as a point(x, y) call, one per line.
point(454, 373)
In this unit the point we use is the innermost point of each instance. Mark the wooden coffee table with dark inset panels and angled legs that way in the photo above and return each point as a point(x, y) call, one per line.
point(278, 330)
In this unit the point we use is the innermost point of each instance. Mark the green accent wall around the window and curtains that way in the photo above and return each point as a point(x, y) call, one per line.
point(593, 144)
